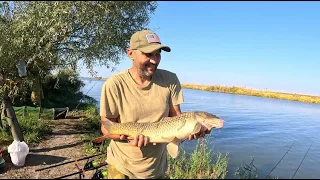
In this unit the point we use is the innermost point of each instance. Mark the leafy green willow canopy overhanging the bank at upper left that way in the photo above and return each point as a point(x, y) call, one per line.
point(49, 35)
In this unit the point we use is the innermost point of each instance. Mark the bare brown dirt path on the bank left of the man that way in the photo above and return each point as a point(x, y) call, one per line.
point(62, 146)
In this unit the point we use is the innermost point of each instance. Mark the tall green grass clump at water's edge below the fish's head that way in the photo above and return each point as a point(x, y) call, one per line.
point(198, 165)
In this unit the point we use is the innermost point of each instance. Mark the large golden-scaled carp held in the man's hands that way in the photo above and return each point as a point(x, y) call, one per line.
point(170, 130)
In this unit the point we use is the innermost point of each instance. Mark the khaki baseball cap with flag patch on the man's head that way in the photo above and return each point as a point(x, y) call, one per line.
point(146, 41)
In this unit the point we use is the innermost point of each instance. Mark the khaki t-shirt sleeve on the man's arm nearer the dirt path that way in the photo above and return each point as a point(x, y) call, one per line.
point(109, 100)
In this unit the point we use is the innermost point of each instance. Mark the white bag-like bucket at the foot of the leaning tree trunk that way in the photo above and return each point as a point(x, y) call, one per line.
point(18, 152)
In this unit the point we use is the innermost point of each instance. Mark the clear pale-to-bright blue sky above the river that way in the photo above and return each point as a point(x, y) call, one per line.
point(262, 45)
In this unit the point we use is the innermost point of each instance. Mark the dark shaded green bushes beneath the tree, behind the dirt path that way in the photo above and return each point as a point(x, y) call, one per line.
point(62, 89)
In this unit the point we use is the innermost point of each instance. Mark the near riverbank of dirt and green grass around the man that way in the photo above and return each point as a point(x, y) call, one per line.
point(71, 138)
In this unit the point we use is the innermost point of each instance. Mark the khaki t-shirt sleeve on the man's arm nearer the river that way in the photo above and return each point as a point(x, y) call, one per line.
point(176, 91)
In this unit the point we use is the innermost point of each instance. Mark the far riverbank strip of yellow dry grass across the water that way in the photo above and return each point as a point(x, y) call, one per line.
point(252, 92)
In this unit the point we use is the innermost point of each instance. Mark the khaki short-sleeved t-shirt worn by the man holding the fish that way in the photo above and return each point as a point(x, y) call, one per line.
point(121, 96)
